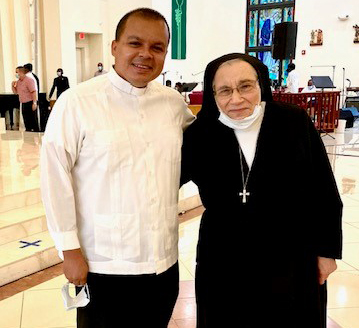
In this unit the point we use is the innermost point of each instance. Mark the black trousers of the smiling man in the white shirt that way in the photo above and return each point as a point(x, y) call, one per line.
point(130, 301)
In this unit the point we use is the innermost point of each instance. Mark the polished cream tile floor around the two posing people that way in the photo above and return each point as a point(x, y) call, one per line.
point(35, 301)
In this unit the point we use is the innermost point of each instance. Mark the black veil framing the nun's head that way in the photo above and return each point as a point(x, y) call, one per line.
point(209, 108)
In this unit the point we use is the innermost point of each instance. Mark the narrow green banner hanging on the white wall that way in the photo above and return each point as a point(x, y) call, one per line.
point(179, 17)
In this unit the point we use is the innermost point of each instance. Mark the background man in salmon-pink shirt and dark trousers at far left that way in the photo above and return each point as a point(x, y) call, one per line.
point(25, 88)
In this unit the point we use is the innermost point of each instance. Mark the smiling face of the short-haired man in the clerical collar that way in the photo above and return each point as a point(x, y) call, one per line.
point(141, 50)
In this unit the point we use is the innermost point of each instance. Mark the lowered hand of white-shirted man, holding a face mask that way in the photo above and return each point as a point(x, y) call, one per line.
point(75, 267)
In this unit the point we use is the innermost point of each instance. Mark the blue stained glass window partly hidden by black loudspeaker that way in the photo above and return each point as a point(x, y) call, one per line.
point(262, 17)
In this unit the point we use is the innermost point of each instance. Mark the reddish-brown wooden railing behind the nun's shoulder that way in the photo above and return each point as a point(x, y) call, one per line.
point(322, 107)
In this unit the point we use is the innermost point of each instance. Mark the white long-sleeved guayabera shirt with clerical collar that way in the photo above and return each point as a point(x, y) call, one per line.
point(110, 168)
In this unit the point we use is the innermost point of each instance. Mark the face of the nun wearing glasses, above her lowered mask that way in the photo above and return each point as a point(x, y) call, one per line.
point(236, 89)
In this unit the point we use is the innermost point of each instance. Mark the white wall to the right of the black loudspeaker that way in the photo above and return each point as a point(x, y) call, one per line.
point(338, 48)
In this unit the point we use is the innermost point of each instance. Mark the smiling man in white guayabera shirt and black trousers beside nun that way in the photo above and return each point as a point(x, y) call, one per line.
point(110, 178)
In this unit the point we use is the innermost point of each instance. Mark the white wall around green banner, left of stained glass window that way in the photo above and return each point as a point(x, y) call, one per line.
point(214, 28)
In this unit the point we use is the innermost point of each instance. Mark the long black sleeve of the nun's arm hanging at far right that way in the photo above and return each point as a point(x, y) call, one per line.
point(327, 204)
